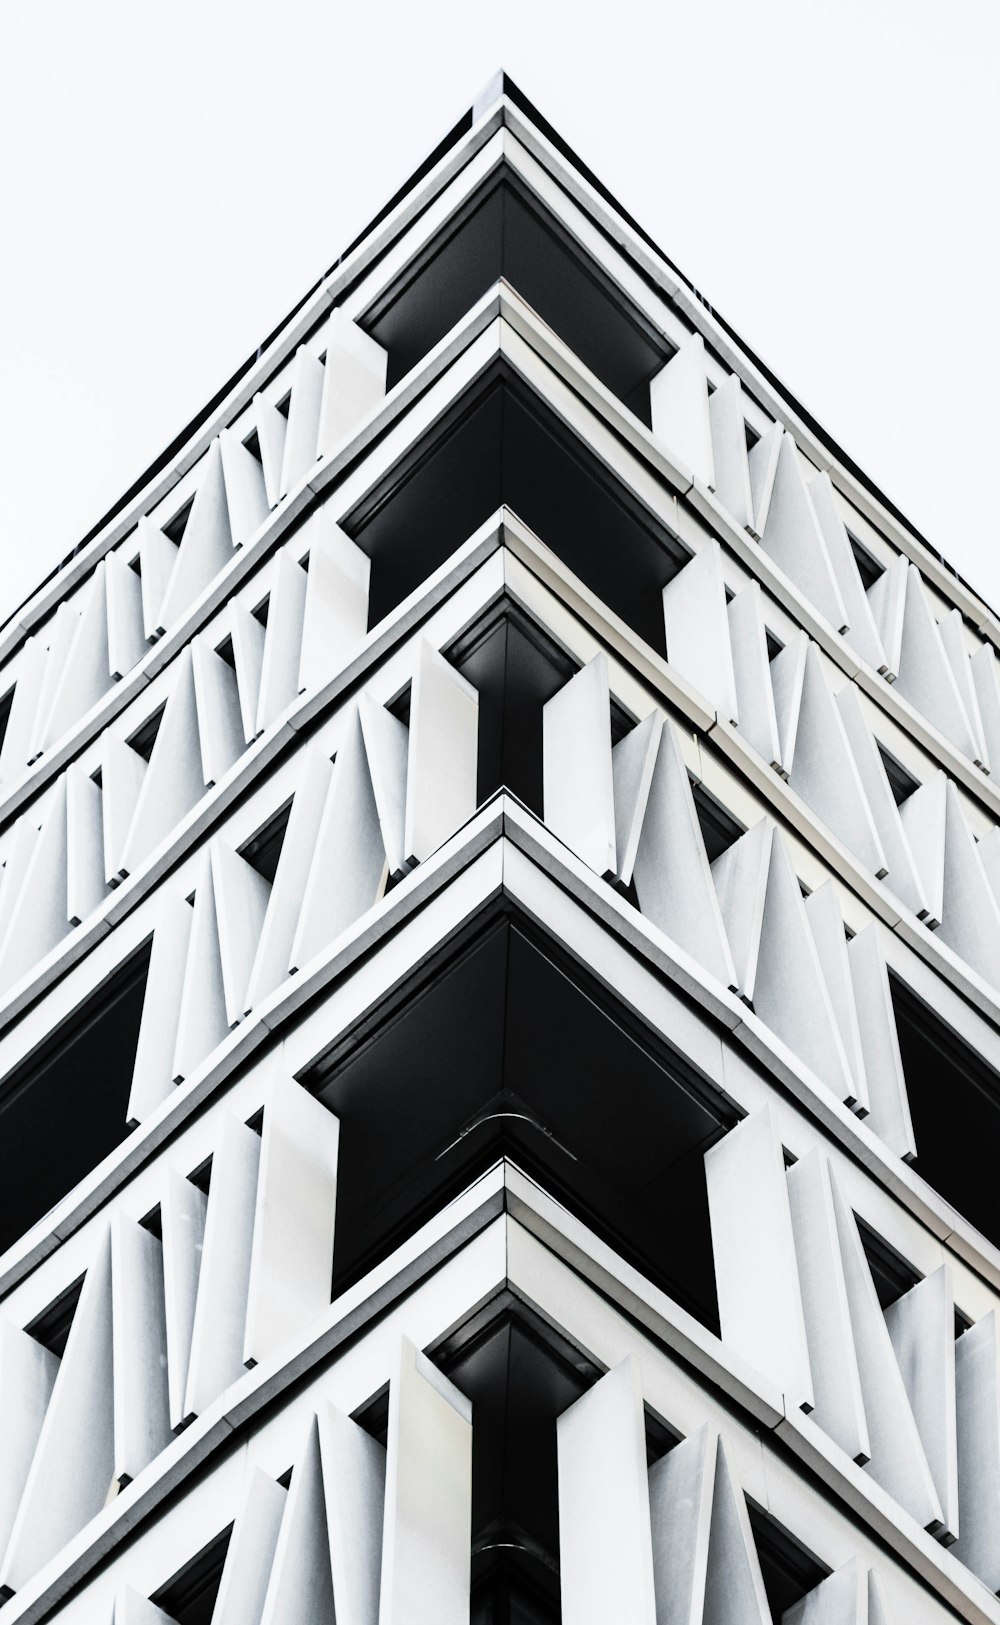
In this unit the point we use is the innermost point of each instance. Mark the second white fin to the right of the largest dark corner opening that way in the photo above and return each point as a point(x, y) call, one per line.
point(840, 1406)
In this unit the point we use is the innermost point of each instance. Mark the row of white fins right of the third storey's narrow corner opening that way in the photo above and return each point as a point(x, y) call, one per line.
point(628, 812)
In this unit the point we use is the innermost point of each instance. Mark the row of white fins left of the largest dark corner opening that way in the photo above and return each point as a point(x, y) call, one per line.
point(165, 1325)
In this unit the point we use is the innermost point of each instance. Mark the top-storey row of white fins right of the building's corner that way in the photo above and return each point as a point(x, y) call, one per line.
point(798, 522)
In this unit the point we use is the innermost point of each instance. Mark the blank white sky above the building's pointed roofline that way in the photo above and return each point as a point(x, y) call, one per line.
point(175, 176)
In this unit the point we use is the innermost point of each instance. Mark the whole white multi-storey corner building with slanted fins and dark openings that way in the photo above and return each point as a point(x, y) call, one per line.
point(500, 979)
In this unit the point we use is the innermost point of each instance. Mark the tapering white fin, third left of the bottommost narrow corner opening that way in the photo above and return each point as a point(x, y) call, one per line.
point(302, 1585)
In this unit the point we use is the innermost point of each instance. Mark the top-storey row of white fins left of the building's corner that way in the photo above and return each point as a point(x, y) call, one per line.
point(146, 587)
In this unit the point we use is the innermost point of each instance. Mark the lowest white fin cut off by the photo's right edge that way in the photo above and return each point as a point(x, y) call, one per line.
point(978, 1403)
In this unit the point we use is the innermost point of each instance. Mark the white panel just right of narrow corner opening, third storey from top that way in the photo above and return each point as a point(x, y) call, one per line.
point(578, 779)
